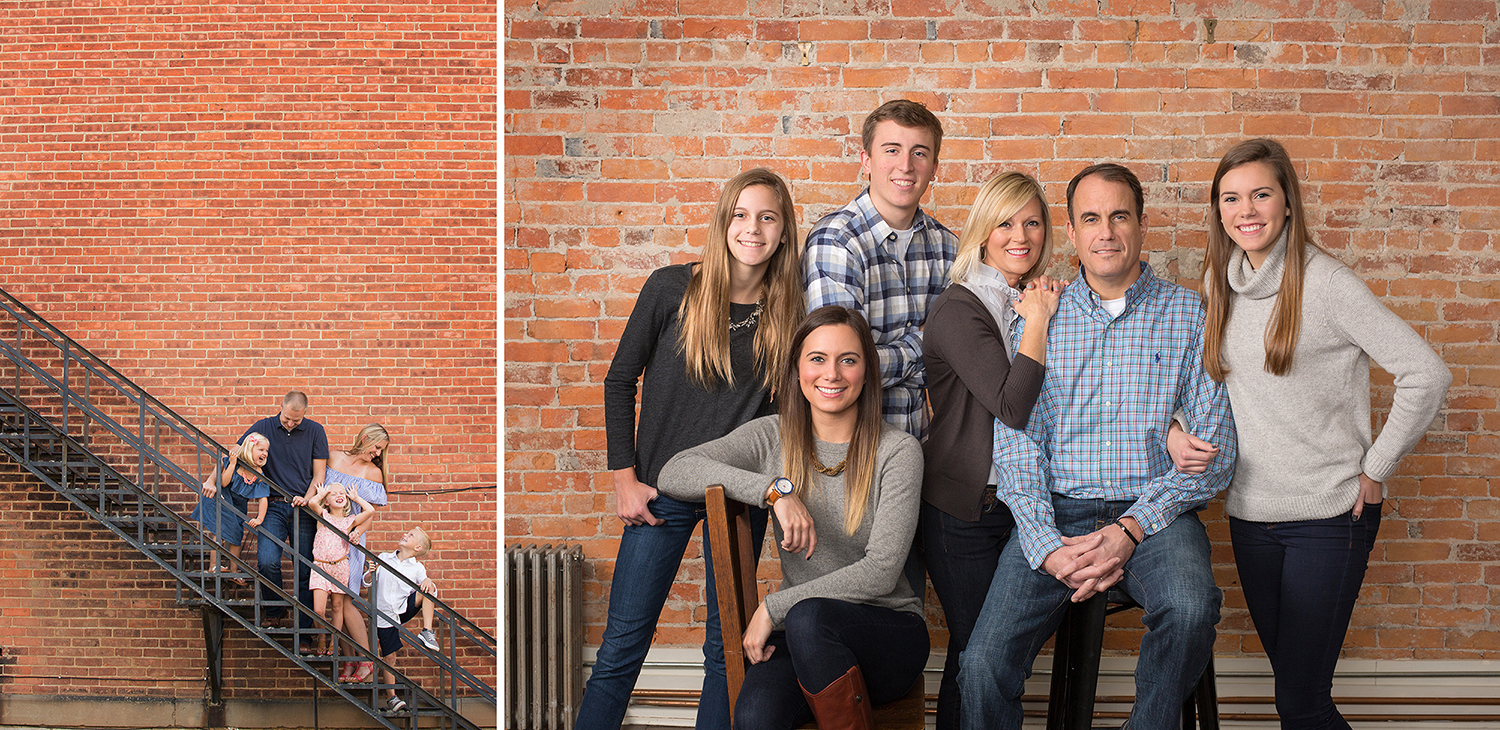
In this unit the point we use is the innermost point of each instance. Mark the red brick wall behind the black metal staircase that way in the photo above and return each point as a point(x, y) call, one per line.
point(224, 203)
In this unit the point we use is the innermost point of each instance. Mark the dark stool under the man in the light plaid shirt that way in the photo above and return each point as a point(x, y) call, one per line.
point(1076, 669)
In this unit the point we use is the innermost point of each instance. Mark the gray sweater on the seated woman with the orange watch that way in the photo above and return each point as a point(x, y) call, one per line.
point(865, 567)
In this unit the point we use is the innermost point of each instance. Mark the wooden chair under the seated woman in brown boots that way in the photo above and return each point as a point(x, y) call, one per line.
point(728, 531)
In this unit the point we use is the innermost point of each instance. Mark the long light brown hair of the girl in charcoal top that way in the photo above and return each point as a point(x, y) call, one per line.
point(704, 314)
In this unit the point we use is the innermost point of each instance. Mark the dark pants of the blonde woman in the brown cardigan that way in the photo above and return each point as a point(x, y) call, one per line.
point(961, 561)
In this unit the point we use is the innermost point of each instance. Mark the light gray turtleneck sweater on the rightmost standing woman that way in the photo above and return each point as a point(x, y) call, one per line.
point(1304, 437)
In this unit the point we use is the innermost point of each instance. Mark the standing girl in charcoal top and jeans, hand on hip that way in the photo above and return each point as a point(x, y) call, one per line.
point(707, 340)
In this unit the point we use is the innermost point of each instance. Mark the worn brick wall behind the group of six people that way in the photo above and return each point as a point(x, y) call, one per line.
point(623, 119)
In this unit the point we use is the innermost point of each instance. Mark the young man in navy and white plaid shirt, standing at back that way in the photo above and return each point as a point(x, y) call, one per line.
point(886, 259)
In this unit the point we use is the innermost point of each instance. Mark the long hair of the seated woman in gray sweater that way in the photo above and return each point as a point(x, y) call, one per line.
point(797, 417)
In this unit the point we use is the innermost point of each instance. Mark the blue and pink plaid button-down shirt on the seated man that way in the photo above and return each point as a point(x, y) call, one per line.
point(1100, 425)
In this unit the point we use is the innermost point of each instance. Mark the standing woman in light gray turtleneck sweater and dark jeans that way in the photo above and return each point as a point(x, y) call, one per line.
point(1292, 332)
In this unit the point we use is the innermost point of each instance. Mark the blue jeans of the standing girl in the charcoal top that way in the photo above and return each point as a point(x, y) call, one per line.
point(646, 570)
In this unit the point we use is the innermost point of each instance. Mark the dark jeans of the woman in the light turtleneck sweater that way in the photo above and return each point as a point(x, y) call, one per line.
point(1301, 582)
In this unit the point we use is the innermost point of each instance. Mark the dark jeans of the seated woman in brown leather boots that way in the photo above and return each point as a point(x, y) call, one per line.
point(824, 639)
